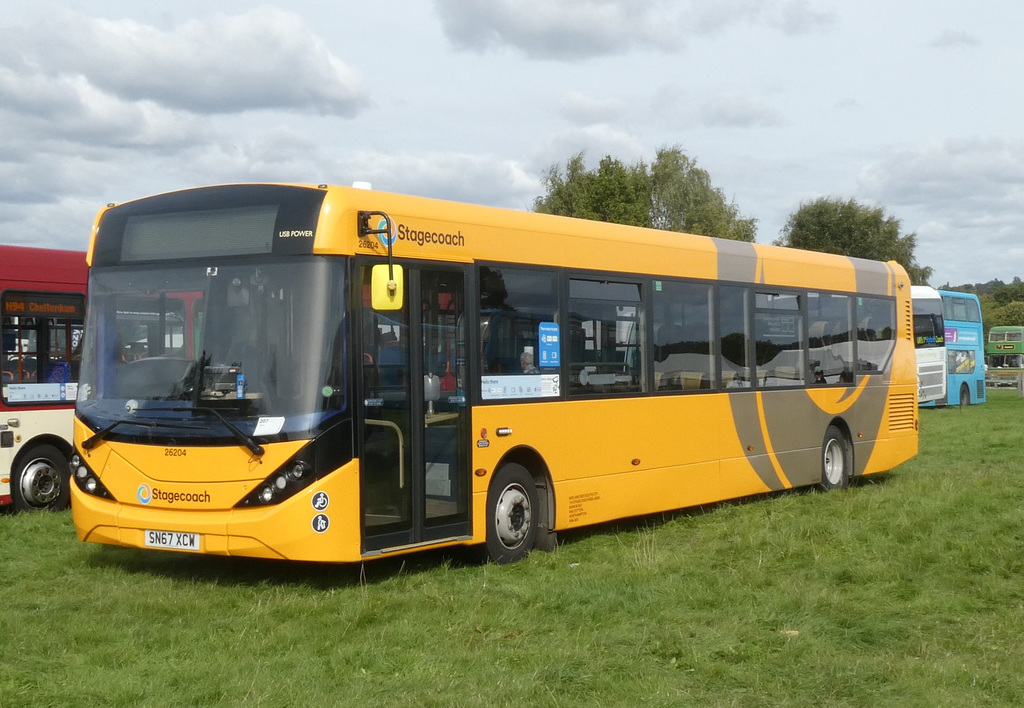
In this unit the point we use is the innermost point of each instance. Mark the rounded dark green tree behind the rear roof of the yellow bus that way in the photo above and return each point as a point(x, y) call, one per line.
point(849, 229)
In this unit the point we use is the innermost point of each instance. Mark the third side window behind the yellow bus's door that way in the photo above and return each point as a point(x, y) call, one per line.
point(682, 326)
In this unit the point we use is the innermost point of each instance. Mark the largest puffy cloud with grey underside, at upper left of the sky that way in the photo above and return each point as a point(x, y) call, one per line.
point(263, 59)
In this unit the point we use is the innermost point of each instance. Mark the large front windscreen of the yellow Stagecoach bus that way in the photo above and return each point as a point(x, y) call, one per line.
point(258, 341)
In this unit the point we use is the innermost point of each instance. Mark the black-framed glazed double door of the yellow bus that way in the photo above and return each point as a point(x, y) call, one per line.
point(414, 424)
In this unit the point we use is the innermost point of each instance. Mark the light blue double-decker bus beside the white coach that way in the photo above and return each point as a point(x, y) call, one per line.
point(965, 349)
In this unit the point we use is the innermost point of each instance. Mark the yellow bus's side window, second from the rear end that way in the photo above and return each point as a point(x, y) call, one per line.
point(830, 337)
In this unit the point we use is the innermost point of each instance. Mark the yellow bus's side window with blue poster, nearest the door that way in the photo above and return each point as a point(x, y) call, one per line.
point(521, 337)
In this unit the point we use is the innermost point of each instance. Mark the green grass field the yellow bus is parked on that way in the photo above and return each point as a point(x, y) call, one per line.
point(907, 590)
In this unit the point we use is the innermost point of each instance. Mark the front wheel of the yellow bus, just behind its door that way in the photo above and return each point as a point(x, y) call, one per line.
point(513, 515)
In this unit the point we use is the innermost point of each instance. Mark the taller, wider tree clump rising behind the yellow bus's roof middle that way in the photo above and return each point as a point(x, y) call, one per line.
point(673, 194)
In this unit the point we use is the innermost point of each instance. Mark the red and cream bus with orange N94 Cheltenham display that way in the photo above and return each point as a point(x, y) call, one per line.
point(42, 302)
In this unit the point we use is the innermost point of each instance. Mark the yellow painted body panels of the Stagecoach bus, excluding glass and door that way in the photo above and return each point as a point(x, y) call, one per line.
point(607, 459)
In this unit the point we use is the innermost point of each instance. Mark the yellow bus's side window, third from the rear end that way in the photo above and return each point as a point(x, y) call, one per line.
point(779, 342)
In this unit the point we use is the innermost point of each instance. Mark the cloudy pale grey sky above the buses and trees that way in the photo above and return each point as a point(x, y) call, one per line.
point(915, 107)
